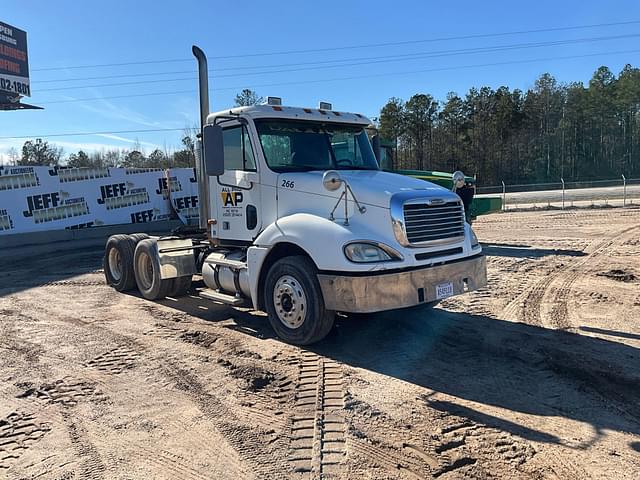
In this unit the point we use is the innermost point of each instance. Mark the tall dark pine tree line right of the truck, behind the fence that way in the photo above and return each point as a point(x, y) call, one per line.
point(552, 130)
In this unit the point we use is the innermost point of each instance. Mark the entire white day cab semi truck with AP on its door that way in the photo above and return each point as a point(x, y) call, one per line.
point(299, 229)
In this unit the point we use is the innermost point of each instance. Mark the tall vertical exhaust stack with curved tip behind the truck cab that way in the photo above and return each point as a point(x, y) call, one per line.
point(203, 179)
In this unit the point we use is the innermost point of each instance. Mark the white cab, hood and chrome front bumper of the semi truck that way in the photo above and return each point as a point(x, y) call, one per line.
point(304, 182)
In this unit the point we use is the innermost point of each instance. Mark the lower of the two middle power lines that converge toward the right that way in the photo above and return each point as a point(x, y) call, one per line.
point(385, 59)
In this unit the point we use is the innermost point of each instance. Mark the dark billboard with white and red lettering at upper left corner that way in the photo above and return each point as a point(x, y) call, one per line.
point(14, 64)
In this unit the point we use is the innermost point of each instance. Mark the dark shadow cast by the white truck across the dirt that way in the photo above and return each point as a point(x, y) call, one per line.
point(506, 365)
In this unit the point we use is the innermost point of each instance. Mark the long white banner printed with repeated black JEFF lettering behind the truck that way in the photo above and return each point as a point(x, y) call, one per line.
point(54, 198)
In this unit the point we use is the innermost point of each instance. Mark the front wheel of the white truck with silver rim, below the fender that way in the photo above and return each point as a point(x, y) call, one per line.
point(294, 301)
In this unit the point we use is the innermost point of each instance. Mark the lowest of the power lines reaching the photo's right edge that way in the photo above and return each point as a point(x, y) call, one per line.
point(304, 82)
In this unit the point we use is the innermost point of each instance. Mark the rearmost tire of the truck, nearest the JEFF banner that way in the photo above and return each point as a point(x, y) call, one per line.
point(118, 263)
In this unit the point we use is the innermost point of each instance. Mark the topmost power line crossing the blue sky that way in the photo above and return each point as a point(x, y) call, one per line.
point(351, 47)
